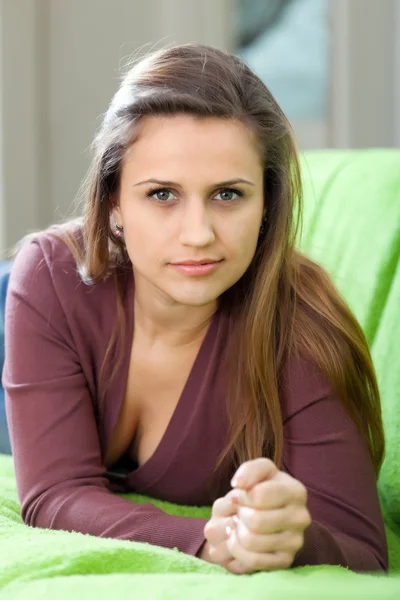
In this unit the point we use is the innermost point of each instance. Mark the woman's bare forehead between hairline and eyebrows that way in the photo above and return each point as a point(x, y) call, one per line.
point(211, 143)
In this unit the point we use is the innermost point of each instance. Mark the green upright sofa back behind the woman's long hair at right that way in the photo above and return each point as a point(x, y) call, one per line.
point(352, 227)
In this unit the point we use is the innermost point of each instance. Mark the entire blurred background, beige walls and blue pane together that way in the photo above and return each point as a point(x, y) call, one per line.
point(333, 65)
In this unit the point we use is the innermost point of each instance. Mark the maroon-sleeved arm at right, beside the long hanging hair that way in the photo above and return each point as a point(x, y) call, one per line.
point(325, 451)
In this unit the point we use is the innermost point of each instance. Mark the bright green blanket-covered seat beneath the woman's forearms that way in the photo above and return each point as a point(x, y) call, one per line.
point(40, 563)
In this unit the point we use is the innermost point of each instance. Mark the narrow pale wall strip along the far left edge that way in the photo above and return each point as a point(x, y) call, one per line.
point(20, 118)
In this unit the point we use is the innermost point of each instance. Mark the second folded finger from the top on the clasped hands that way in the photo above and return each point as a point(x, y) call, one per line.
point(274, 521)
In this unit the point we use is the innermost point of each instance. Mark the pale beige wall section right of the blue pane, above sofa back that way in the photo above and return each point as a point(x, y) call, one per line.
point(365, 77)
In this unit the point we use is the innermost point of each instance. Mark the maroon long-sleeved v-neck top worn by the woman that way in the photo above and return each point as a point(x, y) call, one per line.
point(62, 412)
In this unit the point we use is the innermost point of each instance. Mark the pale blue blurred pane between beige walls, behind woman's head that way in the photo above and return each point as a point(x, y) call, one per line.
point(292, 57)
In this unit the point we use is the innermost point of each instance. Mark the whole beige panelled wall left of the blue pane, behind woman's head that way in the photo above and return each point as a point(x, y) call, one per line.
point(59, 67)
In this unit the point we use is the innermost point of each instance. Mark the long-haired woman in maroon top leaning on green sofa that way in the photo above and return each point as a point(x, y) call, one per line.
point(175, 343)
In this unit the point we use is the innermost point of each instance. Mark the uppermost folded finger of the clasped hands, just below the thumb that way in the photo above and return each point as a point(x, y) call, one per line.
point(275, 493)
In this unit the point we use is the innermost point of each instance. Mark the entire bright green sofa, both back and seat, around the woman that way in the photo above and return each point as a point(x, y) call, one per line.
point(352, 227)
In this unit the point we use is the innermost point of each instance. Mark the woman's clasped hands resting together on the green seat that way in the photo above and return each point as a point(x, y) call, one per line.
point(259, 525)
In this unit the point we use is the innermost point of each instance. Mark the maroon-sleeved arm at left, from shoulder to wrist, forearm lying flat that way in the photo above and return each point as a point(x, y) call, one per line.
point(55, 443)
